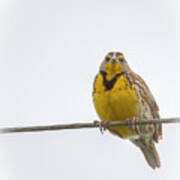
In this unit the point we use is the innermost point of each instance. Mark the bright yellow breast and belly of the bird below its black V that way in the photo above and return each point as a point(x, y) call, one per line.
point(116, 104)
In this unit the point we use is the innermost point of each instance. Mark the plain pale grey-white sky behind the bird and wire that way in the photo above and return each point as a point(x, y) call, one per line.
point(50, 52)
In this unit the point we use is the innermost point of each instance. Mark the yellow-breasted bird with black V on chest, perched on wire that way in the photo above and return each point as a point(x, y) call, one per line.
point(121, 94)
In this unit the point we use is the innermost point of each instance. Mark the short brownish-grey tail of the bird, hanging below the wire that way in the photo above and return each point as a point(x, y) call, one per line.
point(149, 150)
